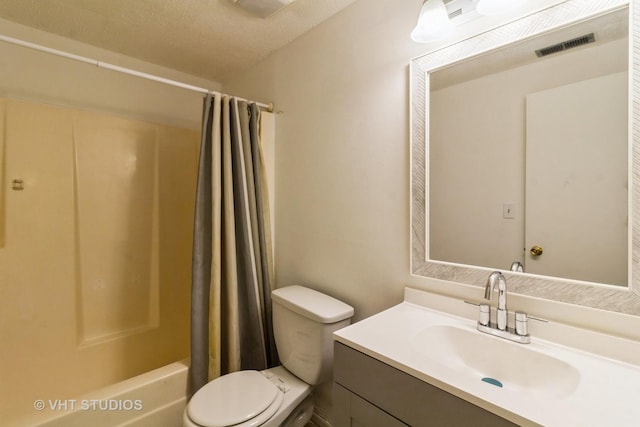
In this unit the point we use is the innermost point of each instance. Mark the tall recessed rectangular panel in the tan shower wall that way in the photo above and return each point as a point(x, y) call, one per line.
point(116, 208)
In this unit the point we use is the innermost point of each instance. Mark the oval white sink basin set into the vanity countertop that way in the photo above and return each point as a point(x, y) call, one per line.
point(513, 367)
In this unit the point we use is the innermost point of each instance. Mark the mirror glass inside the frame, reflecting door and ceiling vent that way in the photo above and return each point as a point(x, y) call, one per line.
point(528, 155)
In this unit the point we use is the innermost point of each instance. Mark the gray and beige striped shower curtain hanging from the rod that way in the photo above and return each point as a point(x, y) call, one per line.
point(232, 274)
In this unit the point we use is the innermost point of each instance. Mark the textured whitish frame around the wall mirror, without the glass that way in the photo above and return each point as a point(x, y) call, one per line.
point(606, 297)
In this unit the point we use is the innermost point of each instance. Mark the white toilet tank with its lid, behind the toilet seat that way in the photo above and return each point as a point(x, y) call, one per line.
point(303, 323)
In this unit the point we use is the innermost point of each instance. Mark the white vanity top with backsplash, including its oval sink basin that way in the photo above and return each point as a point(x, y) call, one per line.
point(598, 390)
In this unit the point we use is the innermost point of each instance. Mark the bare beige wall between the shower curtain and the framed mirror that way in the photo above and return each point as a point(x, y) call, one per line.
point(342, 181)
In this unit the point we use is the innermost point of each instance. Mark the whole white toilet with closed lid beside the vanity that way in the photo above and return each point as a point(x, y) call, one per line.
point(303, 323)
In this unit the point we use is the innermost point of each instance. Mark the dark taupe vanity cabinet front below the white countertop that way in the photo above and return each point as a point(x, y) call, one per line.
point(396, 395)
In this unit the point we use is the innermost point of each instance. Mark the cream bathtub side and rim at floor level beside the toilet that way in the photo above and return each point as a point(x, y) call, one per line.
point(153, 399)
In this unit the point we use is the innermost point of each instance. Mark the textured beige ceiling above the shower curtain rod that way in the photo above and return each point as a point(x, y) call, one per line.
point(205, 38)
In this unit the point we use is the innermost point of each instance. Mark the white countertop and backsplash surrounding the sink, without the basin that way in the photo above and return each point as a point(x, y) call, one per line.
point(608, 393)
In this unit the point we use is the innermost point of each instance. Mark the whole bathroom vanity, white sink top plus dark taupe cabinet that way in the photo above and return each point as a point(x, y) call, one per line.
point(424, 363)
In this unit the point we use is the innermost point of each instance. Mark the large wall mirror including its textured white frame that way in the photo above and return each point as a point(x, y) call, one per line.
point(521, 146)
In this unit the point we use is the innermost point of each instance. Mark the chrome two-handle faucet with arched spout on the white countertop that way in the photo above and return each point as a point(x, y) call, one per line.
point(500, 328)
